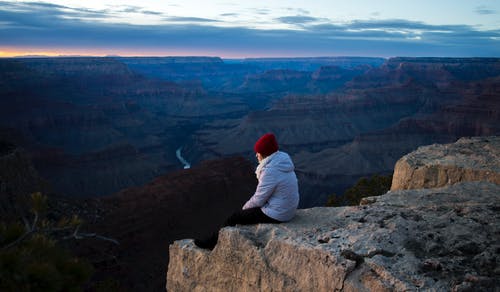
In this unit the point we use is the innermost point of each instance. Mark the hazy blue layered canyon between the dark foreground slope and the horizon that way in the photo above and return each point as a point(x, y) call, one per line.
point(93, 126)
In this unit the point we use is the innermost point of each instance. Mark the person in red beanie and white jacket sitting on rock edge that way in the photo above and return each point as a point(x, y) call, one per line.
point(277, 195)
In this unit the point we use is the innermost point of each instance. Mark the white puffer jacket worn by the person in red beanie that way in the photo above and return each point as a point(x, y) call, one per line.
point(277, 192)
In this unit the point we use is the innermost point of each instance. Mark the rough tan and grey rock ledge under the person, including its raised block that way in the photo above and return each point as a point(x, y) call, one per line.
point(438, 239)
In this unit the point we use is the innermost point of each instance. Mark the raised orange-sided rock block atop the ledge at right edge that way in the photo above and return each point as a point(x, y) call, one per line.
point(469, 159)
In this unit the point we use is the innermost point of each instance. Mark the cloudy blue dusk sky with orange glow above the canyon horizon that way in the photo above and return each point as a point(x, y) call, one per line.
point(242, 29)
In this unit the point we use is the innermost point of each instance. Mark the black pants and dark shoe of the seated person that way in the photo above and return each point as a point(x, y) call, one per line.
point(243, 217)
